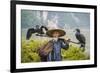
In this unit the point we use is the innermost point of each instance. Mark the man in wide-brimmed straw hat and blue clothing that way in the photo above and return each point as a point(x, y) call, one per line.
point(55, 45)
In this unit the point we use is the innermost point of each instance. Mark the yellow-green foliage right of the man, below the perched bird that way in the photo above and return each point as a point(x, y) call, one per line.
point(73, 53)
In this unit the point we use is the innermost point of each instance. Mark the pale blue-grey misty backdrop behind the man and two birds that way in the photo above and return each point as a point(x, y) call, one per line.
point(68, 21)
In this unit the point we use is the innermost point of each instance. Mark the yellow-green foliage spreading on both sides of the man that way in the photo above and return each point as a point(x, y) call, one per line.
point(29, 52)
